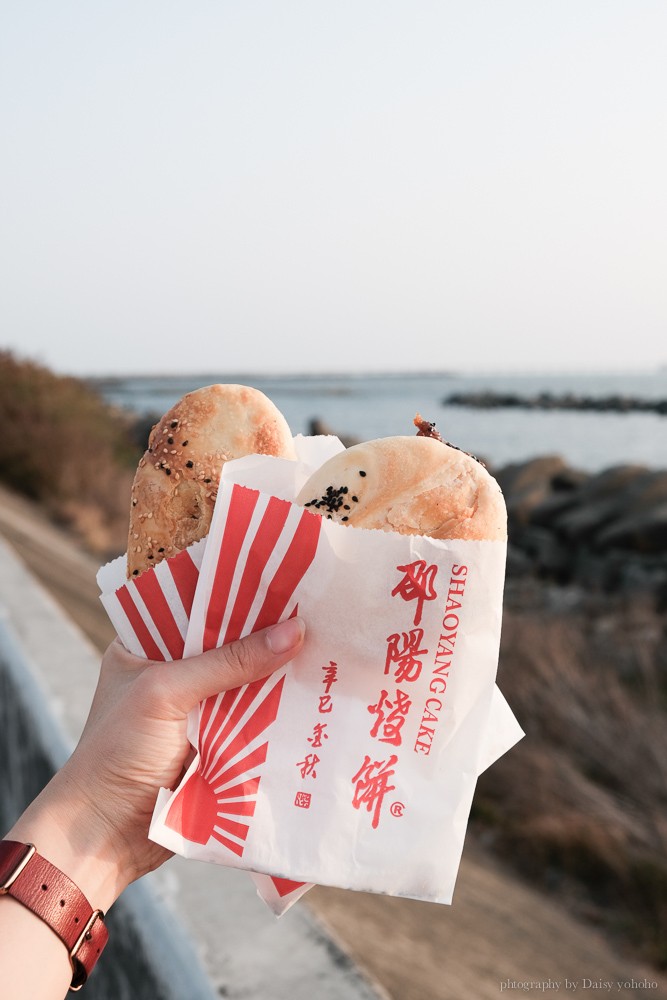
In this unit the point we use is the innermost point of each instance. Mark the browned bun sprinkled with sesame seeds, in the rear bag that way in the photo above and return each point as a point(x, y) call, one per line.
point(176, 483)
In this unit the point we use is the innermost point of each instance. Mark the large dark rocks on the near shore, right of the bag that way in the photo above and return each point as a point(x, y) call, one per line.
point(605, 532)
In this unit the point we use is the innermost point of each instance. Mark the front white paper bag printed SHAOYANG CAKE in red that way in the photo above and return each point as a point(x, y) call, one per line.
point(356, 765)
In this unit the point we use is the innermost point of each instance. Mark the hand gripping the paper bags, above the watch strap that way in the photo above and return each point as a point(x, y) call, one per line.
point(92, 820)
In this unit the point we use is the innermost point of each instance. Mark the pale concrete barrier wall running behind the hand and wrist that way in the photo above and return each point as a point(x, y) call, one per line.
point(189, 931)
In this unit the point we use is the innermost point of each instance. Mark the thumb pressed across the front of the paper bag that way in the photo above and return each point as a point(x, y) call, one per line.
point(190, 681)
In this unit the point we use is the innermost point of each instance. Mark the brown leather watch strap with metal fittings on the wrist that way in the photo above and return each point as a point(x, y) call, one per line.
point(54, 898)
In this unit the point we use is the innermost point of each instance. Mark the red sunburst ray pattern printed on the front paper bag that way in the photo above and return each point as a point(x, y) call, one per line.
point(213, 802)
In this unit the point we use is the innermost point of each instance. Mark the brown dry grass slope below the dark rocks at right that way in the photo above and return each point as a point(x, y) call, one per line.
point(581, 804)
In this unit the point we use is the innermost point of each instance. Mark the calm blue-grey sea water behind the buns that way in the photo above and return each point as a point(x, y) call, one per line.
point(366, 406)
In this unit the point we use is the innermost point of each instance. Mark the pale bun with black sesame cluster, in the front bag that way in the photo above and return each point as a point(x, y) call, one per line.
point(411, 485)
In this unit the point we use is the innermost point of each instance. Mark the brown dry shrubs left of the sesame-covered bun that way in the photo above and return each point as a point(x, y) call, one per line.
point(64, 447)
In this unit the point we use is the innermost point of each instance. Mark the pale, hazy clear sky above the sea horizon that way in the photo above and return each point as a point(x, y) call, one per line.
point(368, 185)
